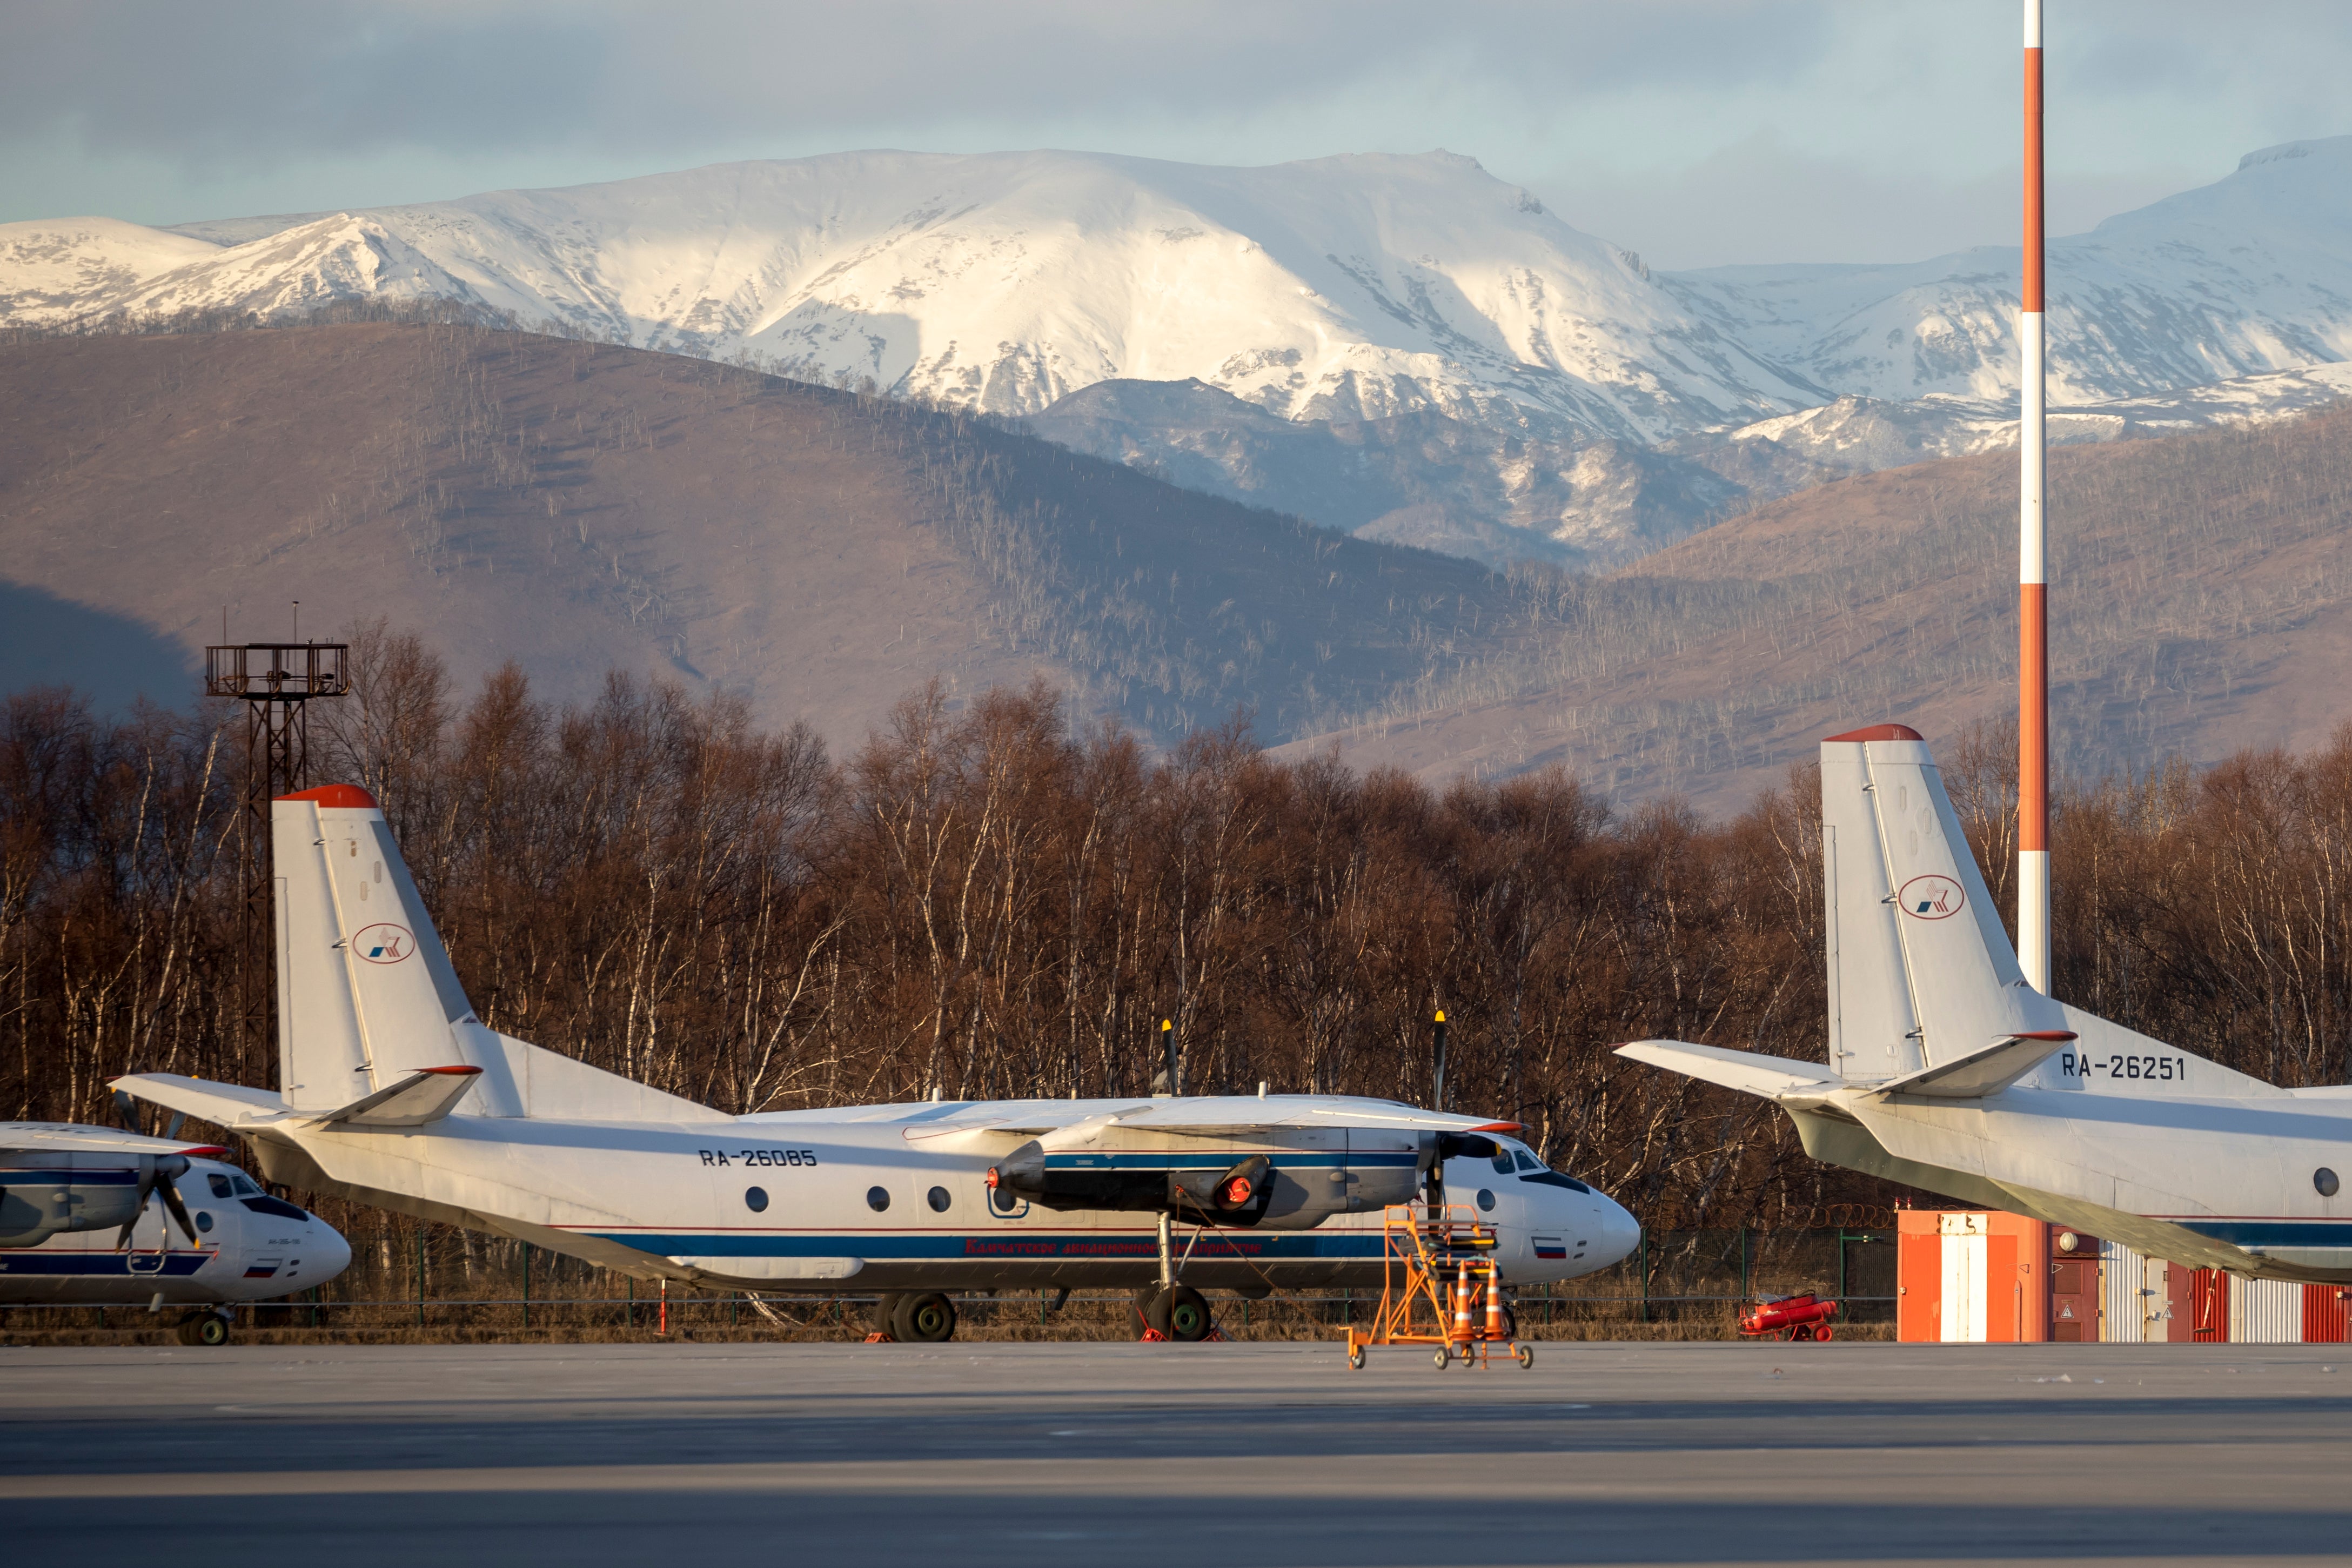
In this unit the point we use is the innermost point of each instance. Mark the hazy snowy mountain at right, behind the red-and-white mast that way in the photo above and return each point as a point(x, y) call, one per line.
point(2238, 279)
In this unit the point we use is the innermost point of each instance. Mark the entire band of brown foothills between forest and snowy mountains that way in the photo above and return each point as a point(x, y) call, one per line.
point(582, 507)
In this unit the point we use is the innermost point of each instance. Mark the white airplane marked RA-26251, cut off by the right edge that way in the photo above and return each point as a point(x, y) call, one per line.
point(1946, 1071)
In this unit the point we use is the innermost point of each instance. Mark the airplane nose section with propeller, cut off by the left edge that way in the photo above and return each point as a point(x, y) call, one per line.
point(65, 1188)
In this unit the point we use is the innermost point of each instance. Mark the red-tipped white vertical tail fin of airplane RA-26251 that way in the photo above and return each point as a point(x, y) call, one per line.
point(1920, 967)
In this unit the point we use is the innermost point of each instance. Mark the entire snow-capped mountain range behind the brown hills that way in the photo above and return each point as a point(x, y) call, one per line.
point(1419, 349)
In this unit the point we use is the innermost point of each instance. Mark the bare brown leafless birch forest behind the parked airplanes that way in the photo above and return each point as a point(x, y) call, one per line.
point(991, 902)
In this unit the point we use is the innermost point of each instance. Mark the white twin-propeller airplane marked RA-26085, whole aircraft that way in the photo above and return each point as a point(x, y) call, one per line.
point(909, 1202)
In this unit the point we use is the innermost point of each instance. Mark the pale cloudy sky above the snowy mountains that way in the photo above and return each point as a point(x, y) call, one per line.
point(1695, 133)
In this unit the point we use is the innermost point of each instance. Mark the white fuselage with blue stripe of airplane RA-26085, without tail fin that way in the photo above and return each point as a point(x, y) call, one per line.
point(897, 1198)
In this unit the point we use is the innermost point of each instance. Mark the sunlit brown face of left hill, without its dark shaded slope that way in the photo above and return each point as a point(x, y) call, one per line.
point(573, 507)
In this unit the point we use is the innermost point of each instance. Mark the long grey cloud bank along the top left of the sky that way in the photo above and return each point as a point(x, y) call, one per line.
point(262, 81)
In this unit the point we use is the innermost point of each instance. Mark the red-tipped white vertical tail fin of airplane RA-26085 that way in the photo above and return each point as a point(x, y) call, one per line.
point(368, 998)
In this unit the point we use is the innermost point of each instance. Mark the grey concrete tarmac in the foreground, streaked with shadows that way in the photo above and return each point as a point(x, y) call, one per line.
point(1177, 1454)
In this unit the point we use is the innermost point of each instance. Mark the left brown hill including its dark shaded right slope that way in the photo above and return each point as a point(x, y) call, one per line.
point(582, 507)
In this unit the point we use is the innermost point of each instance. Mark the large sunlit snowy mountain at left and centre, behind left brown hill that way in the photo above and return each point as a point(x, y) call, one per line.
point(1335, 288)
